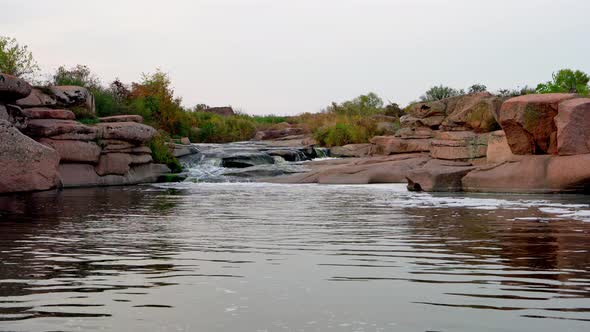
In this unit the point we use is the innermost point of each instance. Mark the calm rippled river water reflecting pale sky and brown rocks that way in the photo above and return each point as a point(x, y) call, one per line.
point(260, 257)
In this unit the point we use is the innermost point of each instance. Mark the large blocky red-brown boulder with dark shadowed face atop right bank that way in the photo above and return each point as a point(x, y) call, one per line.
point(528, 122)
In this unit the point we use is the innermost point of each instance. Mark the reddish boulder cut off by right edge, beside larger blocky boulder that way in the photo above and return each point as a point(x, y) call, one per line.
point(573, 127)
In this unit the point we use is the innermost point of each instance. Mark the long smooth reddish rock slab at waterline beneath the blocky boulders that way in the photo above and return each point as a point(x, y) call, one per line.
point(532, 174)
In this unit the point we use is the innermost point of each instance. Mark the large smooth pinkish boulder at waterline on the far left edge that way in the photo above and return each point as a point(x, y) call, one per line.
point(25, 165)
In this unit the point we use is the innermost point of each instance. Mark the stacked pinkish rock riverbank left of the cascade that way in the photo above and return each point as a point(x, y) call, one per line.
point(42, 146)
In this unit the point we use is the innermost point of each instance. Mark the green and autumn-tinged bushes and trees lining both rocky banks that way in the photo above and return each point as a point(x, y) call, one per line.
point(152, 97)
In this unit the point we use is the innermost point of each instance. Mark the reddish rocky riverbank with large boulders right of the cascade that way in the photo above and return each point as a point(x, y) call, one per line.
point(474, 143)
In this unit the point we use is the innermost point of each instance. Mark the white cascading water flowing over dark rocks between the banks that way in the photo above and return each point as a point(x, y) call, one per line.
point(246, 161)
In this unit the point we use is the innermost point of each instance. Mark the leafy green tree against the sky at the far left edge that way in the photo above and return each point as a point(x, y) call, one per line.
point(16, 60)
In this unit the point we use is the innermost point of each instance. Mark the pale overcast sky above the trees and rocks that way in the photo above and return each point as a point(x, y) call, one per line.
point(293, 56)
